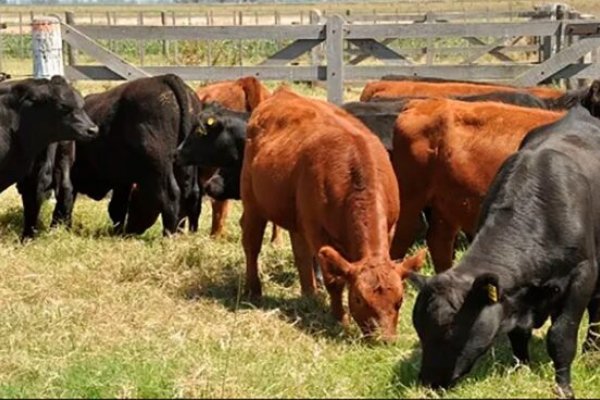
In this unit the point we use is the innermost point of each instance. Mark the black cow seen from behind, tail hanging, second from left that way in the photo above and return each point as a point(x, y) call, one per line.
point(141, 123)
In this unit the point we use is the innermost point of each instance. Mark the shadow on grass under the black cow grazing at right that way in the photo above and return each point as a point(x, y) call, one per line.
point(498, 360)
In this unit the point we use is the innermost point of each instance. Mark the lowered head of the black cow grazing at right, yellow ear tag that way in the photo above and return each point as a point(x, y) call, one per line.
point(456, 320)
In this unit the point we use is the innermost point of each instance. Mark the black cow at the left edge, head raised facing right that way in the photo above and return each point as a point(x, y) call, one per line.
point(35, 113)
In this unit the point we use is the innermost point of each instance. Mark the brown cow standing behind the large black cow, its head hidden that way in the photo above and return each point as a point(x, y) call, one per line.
point(445, 155)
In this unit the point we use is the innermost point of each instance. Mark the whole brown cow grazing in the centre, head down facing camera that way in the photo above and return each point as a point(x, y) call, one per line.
point(318, 172)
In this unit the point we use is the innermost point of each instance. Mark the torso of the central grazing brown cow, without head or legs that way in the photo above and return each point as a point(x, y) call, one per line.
point(306, 160)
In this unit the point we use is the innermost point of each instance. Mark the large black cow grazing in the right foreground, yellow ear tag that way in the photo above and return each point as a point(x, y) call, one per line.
point(535, 255)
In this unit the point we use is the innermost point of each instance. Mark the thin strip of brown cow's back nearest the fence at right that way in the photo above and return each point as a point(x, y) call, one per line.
point(379, 89)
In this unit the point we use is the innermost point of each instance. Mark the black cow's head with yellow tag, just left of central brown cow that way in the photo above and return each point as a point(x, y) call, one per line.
point(218, 140)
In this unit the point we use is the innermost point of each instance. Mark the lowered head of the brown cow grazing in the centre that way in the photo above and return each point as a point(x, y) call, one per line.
point(375, 288)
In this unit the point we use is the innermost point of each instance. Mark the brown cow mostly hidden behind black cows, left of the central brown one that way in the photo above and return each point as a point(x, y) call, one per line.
point(244, 94)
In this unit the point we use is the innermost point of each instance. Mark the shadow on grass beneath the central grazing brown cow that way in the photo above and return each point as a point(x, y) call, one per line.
point(310, 314)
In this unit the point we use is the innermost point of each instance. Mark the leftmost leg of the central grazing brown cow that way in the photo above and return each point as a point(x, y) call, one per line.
point(253, 230)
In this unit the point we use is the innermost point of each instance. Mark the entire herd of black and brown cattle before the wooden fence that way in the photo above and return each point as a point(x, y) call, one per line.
point(516, 169)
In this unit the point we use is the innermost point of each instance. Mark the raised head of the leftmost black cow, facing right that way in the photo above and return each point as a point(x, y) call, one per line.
point(52, 110)
